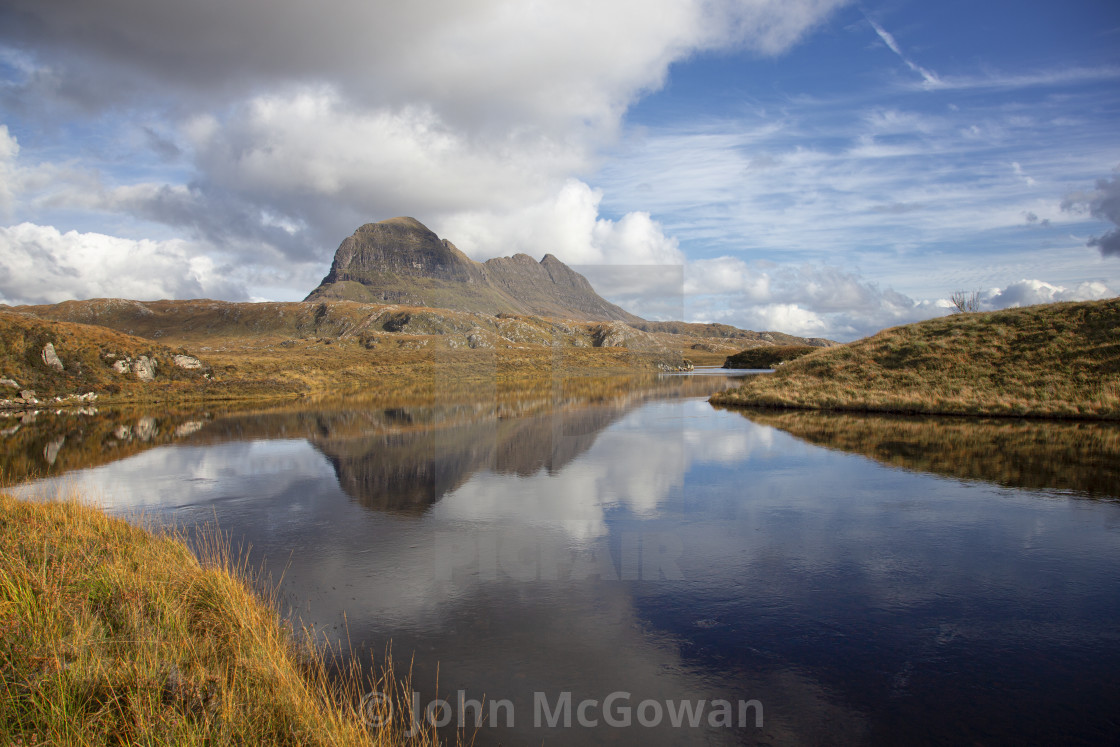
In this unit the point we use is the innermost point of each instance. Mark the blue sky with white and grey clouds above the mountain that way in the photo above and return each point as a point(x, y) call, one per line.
point(816, 167)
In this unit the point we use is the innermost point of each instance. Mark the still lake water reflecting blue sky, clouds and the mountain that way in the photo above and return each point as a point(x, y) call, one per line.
point(624, 561)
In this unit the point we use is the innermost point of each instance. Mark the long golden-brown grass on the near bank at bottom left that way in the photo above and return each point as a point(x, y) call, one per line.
point(111, 634)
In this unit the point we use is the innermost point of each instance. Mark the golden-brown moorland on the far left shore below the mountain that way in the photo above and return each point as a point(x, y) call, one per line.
point(268, 351)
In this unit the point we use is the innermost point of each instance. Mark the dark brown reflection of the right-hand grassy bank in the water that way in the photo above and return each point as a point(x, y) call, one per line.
point(1084, 457)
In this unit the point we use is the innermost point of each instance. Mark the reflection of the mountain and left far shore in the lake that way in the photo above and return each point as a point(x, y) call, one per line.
point(399, 455)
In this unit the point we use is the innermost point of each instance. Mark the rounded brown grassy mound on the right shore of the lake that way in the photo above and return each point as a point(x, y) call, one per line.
point(1053, 361)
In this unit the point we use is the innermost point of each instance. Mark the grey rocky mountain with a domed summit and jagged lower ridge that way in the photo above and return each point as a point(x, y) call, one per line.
point(402, 262)
